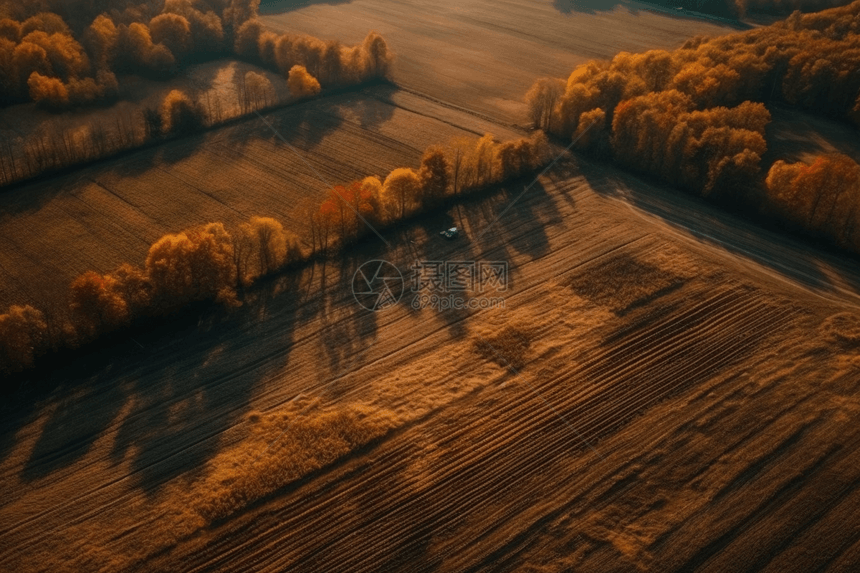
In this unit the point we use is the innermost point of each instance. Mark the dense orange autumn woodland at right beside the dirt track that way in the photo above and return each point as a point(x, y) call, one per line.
point(695, 117)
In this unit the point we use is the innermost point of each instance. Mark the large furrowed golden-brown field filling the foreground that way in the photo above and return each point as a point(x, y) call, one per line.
point(691, 424)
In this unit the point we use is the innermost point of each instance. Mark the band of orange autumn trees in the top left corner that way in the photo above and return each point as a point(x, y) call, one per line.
point(45, 59)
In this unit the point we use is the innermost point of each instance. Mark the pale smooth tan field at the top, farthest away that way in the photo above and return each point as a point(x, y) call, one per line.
point(484, 55)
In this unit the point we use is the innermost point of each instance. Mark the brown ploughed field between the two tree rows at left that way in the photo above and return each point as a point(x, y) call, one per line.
point(102, 216)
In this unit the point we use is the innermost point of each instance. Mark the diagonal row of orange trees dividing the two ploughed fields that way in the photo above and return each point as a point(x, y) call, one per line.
point(211, 263)
